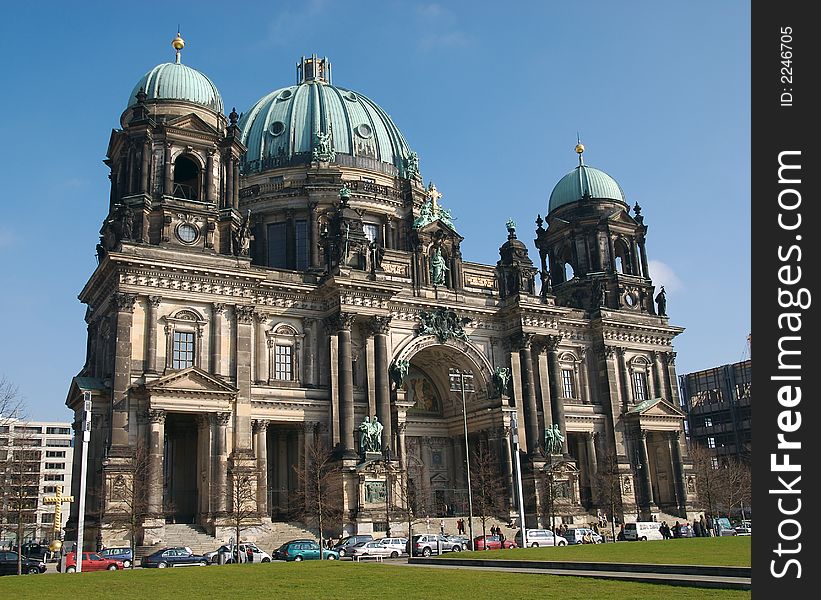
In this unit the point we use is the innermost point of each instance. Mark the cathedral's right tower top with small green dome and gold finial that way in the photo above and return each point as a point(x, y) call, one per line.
point(593, 251)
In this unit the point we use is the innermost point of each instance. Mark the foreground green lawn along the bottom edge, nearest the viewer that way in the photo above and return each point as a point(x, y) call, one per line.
point(333, 580)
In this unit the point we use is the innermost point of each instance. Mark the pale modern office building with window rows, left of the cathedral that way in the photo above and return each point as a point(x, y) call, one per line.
point(36, 457)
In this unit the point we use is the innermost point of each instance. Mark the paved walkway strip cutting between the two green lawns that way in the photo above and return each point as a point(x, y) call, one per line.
point(601, 571)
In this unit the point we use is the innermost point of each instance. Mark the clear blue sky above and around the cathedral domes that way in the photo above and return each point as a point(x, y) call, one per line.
point(490, 94)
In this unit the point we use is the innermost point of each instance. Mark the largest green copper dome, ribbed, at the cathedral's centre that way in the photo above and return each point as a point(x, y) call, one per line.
point(281, 128)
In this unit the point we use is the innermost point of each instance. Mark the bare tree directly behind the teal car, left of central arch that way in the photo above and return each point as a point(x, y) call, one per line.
point(319, 499)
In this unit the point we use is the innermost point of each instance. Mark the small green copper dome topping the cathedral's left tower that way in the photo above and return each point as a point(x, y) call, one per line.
point(176, 81)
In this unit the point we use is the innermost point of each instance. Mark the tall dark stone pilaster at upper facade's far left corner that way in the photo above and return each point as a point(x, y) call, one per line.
point(122, 371)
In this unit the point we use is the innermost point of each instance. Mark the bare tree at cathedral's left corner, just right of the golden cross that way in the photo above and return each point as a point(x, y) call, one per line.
point(129, 497)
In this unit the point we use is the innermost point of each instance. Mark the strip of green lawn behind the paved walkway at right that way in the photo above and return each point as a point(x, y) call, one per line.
point(730, 551)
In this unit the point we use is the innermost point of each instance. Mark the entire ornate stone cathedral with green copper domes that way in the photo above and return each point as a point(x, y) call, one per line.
point(283, 278)
